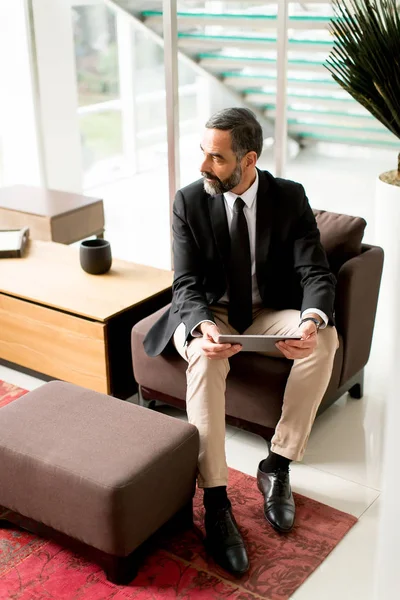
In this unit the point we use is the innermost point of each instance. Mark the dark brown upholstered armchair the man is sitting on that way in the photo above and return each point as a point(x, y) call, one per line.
point(256, 383)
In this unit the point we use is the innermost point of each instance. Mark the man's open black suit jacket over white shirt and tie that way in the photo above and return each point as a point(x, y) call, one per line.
point(291, 265)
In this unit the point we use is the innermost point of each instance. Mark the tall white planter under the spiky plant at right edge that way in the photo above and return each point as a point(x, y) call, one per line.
point(387, 235)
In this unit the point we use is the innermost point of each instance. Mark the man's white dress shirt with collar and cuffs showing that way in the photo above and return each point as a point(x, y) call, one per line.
point(249, 197)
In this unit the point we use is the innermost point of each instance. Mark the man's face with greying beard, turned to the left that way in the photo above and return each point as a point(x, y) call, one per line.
point(220, 168)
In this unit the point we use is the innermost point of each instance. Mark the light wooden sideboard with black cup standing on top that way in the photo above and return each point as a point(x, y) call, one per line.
point(58, 320)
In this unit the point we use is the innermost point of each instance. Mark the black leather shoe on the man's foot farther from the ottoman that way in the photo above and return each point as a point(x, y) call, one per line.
point(279, 507)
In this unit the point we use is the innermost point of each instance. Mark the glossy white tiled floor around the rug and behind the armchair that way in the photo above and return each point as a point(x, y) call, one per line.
point(342, 465)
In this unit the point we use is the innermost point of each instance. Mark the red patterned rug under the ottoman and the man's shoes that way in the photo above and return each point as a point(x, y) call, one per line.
point(33, 568)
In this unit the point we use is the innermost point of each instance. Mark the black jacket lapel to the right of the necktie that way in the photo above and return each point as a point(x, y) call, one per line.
point(263, 225)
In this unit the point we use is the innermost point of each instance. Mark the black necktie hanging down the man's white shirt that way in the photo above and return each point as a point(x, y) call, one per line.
point(240, 300)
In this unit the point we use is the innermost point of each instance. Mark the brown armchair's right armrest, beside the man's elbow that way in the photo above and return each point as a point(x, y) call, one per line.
point(357, 291)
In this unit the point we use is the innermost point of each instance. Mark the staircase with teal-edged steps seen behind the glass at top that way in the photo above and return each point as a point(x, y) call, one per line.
point(237, 42)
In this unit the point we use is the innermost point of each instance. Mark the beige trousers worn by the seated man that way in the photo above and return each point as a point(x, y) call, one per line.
point(206, 383)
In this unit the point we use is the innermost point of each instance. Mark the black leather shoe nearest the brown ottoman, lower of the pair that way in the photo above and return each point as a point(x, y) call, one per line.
point(224, 542)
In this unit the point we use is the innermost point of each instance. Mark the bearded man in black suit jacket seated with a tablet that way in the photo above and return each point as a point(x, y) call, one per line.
point(247, 259)
